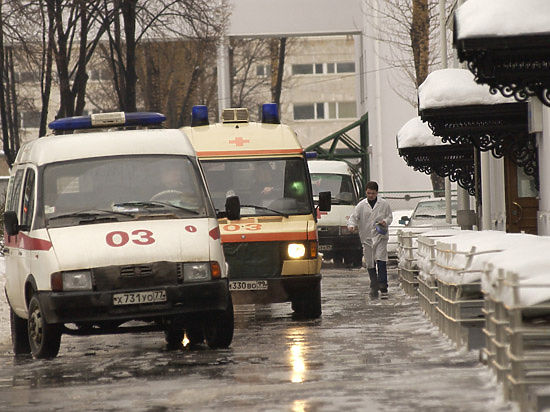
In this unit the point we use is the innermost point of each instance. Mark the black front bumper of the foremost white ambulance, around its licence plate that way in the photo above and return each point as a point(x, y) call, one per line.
point(190, 299)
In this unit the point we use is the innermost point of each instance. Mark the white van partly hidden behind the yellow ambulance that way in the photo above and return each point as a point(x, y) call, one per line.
point(336, 242)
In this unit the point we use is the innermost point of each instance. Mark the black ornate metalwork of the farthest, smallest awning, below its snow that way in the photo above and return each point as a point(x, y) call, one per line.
point(453, 161)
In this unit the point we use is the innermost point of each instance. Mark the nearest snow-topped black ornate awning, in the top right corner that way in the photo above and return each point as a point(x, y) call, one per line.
point(505, 43)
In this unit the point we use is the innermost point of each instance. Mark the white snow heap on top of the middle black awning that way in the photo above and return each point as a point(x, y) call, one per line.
point(455, 87)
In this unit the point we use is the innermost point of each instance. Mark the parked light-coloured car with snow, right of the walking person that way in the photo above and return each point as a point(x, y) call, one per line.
point(430, 212)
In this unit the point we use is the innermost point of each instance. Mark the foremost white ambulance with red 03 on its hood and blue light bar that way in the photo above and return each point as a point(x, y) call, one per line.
point(106, 227)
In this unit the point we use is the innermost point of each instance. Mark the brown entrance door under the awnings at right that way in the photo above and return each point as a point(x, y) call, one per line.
point(522, 201)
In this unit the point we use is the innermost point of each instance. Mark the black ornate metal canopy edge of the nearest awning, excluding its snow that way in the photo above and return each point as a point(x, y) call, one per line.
point(516, 66)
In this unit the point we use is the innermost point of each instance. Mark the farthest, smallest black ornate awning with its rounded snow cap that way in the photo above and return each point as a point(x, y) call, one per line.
point(427, 153)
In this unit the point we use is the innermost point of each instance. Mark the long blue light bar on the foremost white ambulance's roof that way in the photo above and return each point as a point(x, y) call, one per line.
point(107, 120)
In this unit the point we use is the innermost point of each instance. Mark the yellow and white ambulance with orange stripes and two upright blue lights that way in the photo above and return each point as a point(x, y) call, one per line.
point(272, 249)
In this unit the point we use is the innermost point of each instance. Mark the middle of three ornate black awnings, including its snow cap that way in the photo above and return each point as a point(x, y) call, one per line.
point(464, 112)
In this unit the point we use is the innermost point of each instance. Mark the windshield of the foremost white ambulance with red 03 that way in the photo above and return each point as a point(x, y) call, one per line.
point(122, 187)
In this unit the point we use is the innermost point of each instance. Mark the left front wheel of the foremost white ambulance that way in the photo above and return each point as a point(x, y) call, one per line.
point(44, 337)
